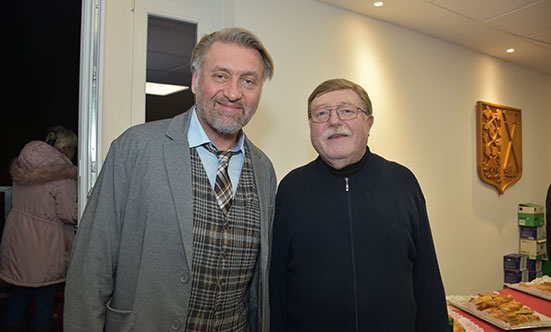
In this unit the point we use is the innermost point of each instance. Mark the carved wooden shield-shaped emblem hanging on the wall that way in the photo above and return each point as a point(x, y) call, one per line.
point(499, 144)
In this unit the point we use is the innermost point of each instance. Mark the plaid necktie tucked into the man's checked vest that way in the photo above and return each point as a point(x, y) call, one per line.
point(222, 187)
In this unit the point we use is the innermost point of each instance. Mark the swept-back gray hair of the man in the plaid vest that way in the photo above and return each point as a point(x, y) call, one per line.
point(237, 36)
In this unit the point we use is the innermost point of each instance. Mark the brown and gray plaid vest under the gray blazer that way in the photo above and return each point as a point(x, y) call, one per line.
point(225, 250)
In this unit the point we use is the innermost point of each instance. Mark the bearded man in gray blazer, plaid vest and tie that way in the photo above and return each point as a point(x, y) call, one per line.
point(175, 236)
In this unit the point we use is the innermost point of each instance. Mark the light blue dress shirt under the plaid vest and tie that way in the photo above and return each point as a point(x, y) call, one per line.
point(197, 137)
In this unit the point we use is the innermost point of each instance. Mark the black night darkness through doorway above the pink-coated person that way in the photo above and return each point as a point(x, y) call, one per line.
point(42, 74)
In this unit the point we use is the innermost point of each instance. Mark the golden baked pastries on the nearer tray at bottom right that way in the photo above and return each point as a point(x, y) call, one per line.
point(504, 308)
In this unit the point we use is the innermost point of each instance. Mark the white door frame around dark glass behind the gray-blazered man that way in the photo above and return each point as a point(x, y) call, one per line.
point(107, 108)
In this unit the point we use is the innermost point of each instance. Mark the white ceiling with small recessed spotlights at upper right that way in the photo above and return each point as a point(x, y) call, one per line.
point(487, 26)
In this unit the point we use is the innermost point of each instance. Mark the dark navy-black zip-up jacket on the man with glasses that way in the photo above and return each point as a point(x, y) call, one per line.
point(352, 250)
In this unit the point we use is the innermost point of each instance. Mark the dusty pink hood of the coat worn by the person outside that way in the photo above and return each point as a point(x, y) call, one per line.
point(39, 163)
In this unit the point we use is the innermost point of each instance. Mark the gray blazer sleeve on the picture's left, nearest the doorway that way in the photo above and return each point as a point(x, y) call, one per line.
point(90, 281)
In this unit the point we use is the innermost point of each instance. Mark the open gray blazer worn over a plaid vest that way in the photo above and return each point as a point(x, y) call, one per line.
point(130, 267)
